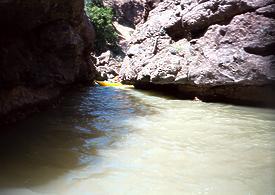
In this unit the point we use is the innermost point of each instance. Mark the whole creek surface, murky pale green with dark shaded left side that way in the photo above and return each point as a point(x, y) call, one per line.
point(102, 140)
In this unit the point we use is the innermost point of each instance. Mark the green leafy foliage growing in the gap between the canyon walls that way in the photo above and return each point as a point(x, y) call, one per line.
point(102, 19)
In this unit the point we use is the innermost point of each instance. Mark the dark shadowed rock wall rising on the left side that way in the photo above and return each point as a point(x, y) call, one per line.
point(44, 45)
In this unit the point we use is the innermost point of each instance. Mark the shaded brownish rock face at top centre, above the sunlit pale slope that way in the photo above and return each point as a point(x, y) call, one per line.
point(131, 12)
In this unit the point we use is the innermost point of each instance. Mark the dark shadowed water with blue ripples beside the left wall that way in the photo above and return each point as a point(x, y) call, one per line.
point(57, 141)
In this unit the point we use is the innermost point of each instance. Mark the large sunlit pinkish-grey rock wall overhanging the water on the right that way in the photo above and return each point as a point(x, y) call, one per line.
point(215, 49)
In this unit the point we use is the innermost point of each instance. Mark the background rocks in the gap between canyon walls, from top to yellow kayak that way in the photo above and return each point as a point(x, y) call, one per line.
point(128, 15)
